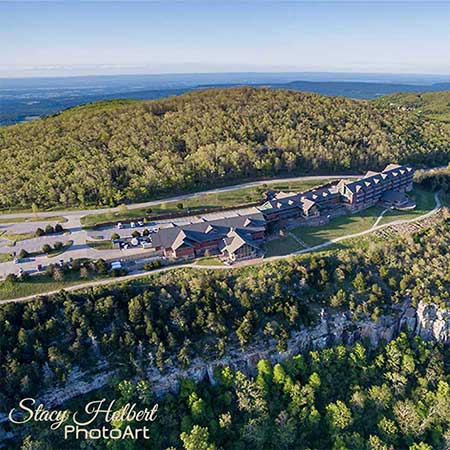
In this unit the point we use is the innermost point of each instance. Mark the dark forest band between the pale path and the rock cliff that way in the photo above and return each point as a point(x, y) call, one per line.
point(168, 319)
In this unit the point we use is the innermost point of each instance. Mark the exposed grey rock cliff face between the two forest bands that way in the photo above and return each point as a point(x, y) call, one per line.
point(427, 321)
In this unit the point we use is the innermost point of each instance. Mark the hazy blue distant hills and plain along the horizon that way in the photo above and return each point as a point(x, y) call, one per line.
point(23, 100)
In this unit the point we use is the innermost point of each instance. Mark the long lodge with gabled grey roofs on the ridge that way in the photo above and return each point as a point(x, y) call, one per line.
point(240, 237)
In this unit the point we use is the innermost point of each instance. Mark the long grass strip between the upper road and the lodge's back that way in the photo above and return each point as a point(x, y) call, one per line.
point(207, 201)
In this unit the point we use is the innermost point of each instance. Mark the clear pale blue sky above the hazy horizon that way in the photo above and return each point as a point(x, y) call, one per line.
point(114, 37)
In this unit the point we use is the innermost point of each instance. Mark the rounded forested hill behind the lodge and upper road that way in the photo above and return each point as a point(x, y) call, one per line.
point(113, 152)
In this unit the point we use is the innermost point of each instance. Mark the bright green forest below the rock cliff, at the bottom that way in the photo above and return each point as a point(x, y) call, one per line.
point(394, 397)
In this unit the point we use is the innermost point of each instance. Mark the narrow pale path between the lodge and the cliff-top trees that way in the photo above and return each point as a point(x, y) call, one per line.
point(244, 263)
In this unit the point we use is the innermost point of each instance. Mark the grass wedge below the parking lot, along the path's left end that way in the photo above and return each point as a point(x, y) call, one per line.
point(39, 284)
